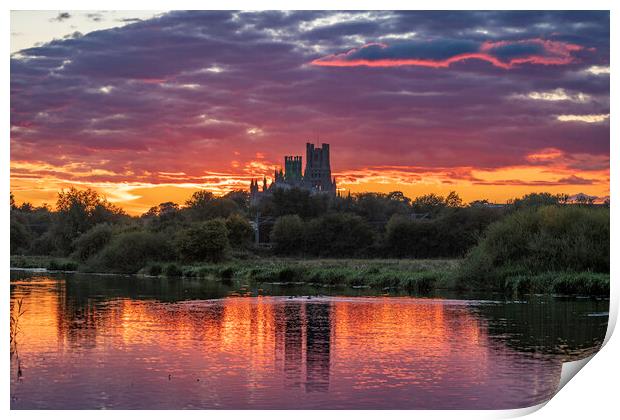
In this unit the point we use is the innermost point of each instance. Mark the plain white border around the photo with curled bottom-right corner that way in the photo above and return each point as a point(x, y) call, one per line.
point(592, 395)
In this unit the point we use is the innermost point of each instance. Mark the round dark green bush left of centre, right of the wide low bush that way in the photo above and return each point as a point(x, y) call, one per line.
point(204, 241)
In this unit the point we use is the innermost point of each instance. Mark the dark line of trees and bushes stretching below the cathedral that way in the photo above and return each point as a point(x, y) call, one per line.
point(86, 227)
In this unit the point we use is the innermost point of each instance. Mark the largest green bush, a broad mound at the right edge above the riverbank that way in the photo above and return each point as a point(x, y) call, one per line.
point(537, 240)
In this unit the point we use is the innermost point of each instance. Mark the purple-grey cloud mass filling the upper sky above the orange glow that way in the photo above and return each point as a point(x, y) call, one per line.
point(209, 83)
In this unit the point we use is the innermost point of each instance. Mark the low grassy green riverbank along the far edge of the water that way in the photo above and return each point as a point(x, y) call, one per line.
point(420, 276)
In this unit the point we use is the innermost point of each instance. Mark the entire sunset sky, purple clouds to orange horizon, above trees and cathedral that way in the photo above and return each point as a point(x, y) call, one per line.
point(149, 107)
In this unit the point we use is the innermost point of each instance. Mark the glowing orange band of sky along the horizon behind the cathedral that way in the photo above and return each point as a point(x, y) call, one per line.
point(498, 185)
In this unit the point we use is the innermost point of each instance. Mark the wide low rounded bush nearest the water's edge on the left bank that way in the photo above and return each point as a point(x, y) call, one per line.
point(130, 251)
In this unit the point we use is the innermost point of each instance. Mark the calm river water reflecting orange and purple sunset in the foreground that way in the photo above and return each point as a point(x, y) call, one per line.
point(122, 342)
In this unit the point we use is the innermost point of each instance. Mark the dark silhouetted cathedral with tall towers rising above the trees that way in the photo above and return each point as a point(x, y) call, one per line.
point(317, 177)
